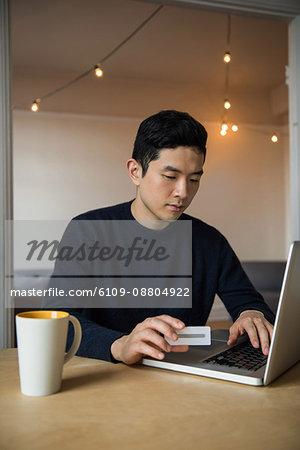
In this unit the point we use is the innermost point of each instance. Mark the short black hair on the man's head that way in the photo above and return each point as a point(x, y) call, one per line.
point(167, 129)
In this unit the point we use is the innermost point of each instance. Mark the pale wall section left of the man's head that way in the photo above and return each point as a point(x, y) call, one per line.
point(67, 164)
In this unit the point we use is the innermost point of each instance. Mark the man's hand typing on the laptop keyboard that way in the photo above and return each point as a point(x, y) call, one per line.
point(256, 325)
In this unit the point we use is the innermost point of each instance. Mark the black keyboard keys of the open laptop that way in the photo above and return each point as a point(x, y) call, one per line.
point(243, 356)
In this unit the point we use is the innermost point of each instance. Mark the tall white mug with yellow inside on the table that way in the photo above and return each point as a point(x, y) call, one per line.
point(41, 340)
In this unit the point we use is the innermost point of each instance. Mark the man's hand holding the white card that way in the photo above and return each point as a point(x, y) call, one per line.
point(146, 340)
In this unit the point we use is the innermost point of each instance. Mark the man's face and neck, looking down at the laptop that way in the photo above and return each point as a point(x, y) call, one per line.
point(169, 185)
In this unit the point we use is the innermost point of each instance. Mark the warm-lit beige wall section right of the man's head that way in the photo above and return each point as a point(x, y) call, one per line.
point(244, 191)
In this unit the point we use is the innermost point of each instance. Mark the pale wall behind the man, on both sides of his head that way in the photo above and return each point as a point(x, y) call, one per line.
point(66, 164)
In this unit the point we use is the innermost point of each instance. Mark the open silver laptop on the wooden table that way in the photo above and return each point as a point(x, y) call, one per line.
point(241, 363)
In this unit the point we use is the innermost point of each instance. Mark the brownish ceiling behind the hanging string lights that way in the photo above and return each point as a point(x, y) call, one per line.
point(175, 59)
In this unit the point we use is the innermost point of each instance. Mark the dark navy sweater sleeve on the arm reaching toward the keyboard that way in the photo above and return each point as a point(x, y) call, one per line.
point(234, 287)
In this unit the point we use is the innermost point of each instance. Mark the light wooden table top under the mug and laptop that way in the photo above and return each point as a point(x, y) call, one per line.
point(114, 406)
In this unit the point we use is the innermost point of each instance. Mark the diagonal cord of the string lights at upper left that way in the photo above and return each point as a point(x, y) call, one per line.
point(84, 74)
